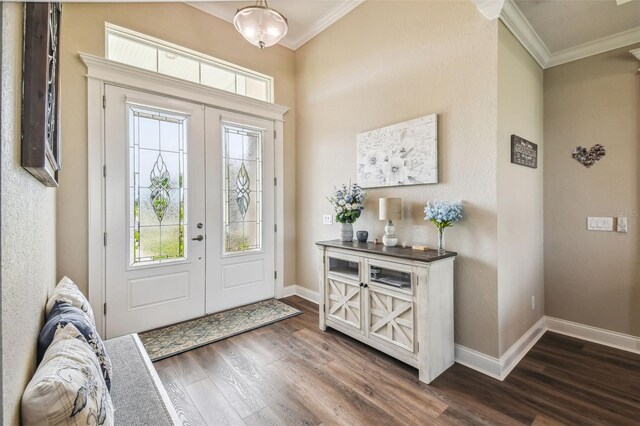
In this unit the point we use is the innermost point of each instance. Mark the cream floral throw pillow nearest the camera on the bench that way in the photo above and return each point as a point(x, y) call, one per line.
point(68, 387)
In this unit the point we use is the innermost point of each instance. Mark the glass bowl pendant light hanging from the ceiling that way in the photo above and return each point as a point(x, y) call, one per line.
point(260, 25)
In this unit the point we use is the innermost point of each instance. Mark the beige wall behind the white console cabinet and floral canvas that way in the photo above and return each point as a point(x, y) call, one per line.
point(387, 62)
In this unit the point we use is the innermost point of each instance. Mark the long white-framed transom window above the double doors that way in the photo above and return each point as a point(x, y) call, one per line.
point(142, 51)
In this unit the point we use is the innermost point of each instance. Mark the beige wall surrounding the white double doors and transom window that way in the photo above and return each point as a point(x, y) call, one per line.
point(83, 31)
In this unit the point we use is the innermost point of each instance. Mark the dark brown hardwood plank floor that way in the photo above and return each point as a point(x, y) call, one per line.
point(292, 373)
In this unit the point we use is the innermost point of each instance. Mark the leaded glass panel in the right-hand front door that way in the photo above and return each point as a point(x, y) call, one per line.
point(242, 188)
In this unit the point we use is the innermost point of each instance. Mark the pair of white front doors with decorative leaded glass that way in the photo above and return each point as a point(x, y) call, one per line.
point(187, 210)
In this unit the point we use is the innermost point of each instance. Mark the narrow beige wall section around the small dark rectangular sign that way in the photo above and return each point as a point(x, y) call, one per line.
point(520, 196)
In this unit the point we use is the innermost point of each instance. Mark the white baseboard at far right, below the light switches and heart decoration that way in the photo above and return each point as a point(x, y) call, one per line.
point(625, 342)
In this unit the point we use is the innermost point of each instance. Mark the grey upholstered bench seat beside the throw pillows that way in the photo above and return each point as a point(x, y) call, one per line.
point(139, 397)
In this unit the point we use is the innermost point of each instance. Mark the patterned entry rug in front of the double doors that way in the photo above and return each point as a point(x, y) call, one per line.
point(174, 339)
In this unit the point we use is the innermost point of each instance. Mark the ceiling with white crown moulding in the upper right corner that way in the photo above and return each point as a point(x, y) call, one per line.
point(560, 31)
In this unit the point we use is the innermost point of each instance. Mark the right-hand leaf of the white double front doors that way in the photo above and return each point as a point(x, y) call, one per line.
point(240, 209)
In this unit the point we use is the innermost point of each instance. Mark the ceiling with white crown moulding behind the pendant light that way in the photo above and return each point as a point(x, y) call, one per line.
point(307, 18)
